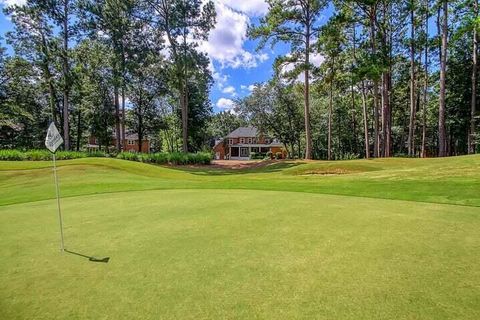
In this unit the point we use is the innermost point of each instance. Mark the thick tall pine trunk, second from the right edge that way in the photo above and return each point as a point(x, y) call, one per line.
point(442, 137)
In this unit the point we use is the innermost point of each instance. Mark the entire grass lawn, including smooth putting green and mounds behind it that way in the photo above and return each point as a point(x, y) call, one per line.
point(377, 239)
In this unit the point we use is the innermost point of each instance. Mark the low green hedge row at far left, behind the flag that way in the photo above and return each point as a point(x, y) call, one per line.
point(37, 155)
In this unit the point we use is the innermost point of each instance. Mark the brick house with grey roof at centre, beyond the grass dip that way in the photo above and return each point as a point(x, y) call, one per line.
point(242, 142)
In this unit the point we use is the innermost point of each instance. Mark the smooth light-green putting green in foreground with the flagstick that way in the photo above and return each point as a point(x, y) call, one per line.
point(230, 254)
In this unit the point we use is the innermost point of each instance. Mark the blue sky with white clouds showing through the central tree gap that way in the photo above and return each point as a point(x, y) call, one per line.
point(235, 63)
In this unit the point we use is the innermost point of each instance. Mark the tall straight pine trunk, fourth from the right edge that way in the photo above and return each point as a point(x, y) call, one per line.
point(411, 126)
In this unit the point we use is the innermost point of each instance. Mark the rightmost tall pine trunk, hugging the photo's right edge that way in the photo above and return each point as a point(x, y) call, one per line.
point(473, 111)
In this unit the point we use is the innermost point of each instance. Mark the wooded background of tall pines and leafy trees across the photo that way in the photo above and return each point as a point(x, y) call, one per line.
point(398, 78)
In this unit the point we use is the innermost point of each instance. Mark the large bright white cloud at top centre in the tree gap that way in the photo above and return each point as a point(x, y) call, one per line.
point(225, 42)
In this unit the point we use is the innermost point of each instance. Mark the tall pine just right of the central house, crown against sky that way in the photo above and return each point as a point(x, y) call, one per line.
point(295, 22)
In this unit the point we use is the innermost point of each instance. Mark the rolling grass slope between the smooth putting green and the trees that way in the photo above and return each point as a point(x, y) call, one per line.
point(442, 180)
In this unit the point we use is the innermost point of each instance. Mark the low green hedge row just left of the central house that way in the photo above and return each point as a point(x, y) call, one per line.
point(176, 158)
